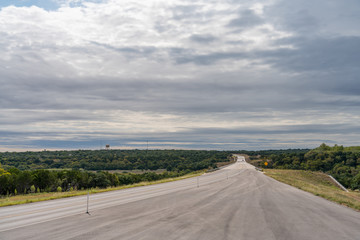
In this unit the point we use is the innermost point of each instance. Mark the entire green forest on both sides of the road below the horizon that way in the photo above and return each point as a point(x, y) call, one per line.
point(50, 171)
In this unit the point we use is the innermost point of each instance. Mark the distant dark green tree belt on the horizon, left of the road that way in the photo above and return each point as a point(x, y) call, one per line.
point(171, 160)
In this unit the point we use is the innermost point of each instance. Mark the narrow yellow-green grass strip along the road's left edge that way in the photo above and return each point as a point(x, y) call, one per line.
point(37, 197)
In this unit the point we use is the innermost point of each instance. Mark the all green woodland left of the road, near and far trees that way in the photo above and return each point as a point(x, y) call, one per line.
point(69, 177)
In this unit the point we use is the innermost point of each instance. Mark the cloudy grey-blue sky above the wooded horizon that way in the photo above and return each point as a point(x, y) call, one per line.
point(199, 74)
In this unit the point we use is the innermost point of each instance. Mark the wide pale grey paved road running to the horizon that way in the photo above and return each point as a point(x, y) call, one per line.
point(236, 202)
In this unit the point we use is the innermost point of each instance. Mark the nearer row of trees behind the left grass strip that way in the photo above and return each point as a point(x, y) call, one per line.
point(14, 181)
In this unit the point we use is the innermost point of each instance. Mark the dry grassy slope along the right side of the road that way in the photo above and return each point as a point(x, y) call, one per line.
point(318, 184)
